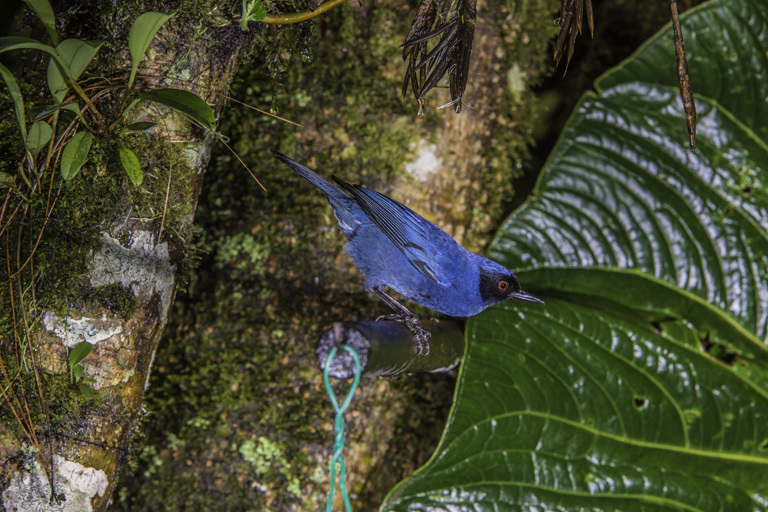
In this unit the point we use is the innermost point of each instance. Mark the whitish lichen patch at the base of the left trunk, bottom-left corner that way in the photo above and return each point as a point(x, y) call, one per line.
point(31, 491)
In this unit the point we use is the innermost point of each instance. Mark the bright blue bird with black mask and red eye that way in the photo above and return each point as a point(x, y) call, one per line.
point(397, 248)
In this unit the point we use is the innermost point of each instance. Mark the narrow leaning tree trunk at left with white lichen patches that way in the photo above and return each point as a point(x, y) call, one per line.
point(113, 287)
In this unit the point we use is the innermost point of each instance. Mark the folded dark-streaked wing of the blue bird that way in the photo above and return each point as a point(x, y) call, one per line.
point(409, 231)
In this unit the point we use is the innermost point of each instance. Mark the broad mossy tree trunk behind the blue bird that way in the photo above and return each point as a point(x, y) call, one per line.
point(240, 419)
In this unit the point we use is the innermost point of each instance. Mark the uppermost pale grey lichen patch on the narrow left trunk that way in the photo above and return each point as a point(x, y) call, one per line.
point(144, 267)
